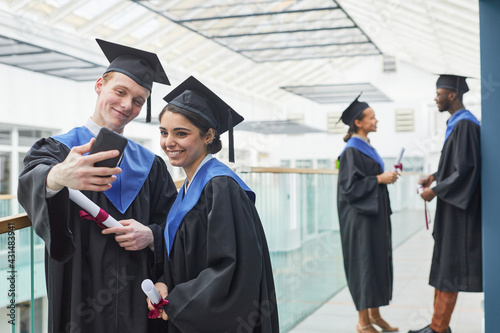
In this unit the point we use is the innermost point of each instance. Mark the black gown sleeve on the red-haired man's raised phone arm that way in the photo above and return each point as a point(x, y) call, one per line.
point(52, 225)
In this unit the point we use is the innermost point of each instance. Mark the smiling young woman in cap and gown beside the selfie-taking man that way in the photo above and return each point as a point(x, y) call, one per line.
point(218, 275)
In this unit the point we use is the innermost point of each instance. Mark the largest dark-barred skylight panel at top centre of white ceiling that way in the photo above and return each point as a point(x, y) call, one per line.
point(273, 31)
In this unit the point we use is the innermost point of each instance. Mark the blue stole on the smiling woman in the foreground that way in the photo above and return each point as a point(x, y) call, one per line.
point(184, 203)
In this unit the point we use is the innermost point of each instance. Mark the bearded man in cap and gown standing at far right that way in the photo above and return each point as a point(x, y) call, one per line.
point(457, 258)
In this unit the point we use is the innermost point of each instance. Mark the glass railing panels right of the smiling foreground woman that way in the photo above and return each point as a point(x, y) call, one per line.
point(299, 214)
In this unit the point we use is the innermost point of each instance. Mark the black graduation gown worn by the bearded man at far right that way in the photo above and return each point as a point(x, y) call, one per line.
point(457, 258)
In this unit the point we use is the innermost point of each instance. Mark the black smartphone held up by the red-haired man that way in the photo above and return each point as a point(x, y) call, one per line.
point(108, 140)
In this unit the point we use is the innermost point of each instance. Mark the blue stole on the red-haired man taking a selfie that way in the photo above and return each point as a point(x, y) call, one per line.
point(136, 165)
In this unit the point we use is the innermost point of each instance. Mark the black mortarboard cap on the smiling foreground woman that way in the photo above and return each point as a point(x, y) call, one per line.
point(193, 96)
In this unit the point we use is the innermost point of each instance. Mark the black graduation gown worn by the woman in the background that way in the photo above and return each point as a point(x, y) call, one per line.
point(365, 230)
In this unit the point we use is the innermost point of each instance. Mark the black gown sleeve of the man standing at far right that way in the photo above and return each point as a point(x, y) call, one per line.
point(457, 181)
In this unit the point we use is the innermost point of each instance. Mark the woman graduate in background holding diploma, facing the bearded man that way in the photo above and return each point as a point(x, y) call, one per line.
point(364, 216)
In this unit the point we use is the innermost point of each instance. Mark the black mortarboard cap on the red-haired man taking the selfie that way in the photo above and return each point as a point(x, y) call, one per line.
point(141, 66)
